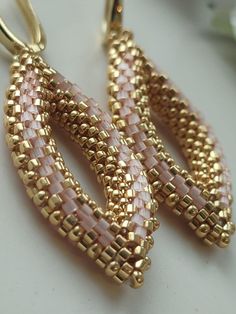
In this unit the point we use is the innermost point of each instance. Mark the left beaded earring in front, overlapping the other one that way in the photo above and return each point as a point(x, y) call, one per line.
point(117, 238)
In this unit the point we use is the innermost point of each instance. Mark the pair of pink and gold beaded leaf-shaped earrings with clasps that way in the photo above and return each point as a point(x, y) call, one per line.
point(123, 149)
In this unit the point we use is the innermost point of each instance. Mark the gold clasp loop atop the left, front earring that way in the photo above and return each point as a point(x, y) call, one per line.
point(12, 42)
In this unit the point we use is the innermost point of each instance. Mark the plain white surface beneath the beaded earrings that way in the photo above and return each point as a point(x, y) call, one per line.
point(39, 273)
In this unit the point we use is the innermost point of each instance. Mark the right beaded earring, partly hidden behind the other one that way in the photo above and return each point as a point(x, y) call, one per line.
point(203, 198)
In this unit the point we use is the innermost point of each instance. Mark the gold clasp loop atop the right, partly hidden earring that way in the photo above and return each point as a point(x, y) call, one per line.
point(113, 17)
